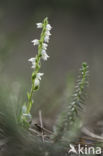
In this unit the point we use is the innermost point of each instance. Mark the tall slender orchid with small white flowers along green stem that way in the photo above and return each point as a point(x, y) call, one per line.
point(42, 44)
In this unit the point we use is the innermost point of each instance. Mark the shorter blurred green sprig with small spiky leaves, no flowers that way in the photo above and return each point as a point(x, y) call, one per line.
point(70, 117)
